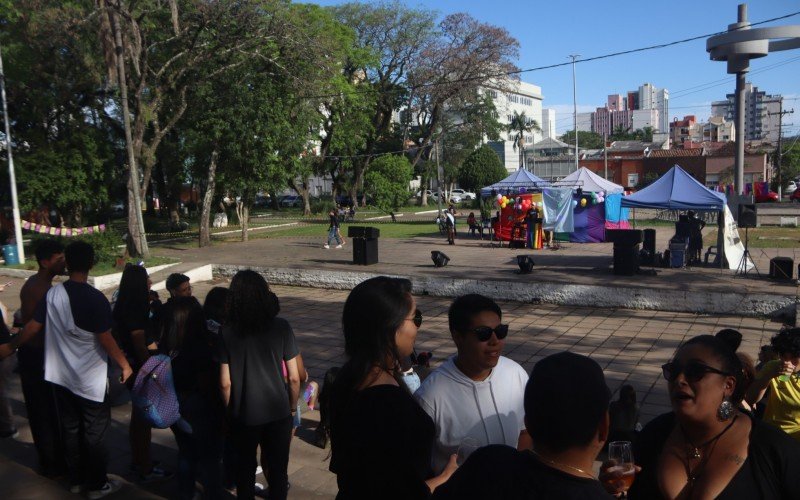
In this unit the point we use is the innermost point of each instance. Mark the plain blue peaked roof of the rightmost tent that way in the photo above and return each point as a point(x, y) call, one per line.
point(676, 190)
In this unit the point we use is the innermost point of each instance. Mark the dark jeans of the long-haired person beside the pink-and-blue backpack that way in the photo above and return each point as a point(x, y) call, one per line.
point(199, 453)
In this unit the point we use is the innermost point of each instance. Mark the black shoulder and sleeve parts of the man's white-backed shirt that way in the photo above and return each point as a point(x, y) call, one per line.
point(90, 308)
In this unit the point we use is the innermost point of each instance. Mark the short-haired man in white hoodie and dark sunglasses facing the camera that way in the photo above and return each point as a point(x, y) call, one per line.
point(476, 393)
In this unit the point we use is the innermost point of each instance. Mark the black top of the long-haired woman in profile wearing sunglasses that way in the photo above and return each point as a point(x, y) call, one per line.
point(382, 444)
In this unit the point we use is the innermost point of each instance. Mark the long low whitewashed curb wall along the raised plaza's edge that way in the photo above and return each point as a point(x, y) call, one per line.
point(732, 303)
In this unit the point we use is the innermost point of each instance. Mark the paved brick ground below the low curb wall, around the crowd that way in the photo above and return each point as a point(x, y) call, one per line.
point(630, 345)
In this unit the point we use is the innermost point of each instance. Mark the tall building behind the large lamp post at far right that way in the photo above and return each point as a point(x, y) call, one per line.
point(761, 113)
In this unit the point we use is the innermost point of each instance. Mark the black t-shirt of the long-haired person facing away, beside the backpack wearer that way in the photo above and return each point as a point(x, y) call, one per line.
point(258, 390)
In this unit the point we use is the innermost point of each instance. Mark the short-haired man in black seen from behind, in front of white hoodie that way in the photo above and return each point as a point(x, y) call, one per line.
point(566, 413)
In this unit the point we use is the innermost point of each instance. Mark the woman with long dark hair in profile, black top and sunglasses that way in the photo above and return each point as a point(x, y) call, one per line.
point(381, 439)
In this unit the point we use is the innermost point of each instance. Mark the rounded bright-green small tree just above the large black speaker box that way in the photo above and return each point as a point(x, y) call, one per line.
point(387, 181)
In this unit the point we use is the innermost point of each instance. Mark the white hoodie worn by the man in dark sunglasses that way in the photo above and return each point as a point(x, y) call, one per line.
point(490, 411)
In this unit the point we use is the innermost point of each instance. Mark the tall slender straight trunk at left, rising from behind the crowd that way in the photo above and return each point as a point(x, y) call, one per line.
point(137, 239)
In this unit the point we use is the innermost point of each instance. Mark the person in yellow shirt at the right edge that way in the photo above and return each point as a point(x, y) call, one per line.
point(782, 379)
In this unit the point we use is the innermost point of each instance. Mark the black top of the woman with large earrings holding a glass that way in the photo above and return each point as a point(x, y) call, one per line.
point(771, 470)
